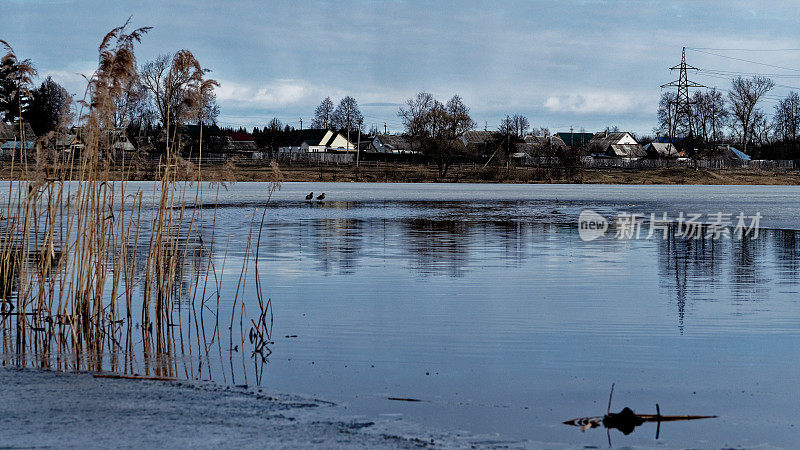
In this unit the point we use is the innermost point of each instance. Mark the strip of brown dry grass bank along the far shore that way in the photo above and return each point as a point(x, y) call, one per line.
point(417, 173)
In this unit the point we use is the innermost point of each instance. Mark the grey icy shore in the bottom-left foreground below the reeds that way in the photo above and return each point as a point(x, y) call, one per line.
point(52, 409)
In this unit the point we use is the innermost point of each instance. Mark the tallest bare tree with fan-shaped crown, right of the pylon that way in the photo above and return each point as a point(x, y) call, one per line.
point(744, 96)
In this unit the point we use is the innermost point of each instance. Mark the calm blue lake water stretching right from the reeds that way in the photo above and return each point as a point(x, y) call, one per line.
point(482, 301)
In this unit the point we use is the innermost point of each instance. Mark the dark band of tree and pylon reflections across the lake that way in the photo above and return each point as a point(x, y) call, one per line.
point(439, 245)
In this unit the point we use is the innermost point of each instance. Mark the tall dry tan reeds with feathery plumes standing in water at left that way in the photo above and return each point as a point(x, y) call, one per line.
point(93, 272)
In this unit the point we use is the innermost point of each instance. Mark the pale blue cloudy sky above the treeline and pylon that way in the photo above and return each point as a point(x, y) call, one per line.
point(581, 63)
